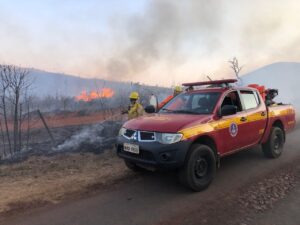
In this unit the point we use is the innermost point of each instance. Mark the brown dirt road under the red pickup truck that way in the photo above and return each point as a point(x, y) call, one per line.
point(158, 198)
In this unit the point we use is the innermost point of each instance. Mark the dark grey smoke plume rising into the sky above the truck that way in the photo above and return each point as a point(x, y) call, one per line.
point(162, 33)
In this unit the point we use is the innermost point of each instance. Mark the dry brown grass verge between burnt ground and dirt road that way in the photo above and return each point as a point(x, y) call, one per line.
point(42, 180)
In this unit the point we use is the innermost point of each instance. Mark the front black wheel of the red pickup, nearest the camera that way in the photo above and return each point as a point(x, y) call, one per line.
point(199, 169)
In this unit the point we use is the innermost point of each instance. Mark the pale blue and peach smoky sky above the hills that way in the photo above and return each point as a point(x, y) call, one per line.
point(163, 42)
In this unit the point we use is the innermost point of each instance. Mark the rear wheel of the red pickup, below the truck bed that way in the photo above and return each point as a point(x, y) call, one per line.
point(274, 146)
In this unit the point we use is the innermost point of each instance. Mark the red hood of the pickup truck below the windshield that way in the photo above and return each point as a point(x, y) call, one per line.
point(166, 123)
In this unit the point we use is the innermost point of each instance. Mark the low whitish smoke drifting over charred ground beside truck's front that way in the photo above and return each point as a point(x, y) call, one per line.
point(92, 138)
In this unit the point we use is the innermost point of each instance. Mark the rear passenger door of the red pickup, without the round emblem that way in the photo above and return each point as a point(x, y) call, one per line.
point(256, 114)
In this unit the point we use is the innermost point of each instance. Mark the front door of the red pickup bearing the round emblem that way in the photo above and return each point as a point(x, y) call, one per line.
point(231, 129)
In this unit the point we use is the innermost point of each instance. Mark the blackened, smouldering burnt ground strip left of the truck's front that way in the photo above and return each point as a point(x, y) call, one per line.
point(74, 138)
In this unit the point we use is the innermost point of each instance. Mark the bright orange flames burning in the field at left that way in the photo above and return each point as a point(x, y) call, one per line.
point(92, 95)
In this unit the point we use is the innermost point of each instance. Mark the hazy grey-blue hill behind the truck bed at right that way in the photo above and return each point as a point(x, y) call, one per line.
point(284, 76)
